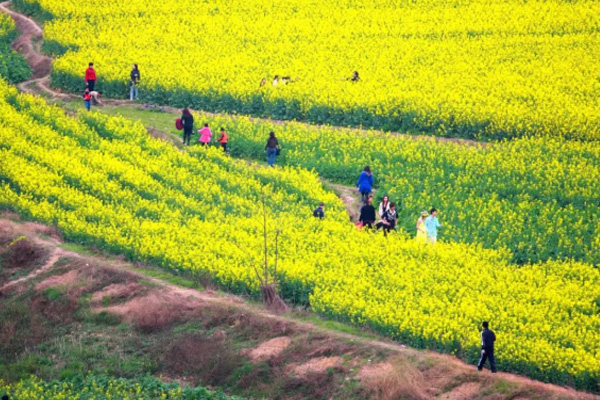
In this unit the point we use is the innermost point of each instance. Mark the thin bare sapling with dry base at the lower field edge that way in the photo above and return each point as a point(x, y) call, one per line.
point(266, 276)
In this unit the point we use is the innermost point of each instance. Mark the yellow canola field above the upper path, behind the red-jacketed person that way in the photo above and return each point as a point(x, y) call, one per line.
point(475, 69)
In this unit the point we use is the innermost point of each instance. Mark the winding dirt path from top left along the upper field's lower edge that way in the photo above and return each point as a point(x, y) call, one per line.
point(42, 65)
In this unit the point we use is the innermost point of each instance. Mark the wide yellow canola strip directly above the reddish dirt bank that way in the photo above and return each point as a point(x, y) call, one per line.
point(104, 182)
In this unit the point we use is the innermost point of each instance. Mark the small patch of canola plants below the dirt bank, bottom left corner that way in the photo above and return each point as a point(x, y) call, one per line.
point(103, 387)
